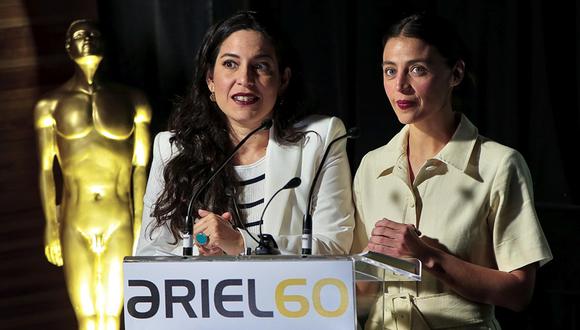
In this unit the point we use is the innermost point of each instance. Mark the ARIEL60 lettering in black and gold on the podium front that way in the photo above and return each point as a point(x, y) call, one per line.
point(215, 300)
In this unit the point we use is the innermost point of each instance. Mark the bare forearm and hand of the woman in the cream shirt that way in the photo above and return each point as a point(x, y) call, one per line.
point(478, 283)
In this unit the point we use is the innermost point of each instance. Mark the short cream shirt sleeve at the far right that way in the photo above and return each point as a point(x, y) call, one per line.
point(518, 238)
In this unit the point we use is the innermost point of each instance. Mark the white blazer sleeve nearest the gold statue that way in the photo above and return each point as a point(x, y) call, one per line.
point(156, 241)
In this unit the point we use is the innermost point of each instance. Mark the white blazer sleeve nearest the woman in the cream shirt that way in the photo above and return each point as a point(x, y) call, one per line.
point(332, 200)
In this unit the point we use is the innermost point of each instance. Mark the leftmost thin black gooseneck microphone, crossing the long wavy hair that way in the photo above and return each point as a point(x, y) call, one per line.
point(188, 230)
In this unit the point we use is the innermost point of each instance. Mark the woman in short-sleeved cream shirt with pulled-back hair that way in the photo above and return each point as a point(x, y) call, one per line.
point(442, 193)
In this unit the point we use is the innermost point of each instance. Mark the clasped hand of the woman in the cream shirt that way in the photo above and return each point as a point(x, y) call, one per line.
point(396, 240)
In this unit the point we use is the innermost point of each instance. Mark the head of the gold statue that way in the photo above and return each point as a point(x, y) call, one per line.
point(83, 38)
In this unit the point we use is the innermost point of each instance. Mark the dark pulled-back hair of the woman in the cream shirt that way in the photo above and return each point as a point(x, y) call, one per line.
point(441, 34)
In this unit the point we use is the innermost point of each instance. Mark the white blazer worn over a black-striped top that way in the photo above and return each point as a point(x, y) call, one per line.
point(332, 215)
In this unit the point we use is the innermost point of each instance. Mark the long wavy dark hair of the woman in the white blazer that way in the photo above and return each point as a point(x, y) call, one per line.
point(200, 130)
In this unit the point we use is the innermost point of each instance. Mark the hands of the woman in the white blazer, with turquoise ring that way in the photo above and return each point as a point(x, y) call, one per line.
point(222, 237)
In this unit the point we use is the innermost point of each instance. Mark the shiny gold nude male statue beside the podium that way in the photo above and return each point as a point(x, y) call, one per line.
point(99, 134)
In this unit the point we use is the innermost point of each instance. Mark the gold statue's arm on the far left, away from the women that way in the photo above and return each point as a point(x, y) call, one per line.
point(44, 124)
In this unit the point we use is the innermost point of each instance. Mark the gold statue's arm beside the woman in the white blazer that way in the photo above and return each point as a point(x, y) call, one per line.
point(141, 155)
